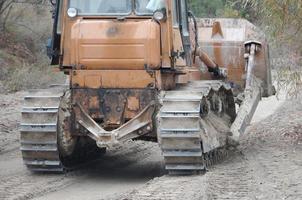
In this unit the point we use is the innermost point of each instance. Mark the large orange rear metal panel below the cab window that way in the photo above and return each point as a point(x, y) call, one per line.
point(111, 44)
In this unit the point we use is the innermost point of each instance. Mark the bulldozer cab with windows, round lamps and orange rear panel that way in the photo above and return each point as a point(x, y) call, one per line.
point(162, 23)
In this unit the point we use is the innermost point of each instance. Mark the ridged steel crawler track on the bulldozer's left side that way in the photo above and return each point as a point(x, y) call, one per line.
point(39, 131)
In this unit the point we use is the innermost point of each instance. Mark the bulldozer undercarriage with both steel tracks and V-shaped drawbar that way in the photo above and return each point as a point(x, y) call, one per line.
point(192, 125)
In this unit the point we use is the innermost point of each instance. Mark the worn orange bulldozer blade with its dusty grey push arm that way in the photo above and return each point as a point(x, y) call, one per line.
point(231, 44)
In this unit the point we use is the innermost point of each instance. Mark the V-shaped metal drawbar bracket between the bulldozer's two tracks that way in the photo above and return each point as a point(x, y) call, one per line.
point(138, 126)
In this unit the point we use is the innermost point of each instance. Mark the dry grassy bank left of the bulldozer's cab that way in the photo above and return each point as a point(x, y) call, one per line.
point(23, 61)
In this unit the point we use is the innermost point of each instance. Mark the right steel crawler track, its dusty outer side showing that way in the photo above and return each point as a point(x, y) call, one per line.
point(180, 127)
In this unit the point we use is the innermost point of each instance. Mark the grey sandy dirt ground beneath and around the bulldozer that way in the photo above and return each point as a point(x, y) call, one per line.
point(267, 165)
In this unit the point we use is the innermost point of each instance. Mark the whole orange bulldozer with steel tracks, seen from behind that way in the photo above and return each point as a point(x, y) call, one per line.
point(144, 70)
